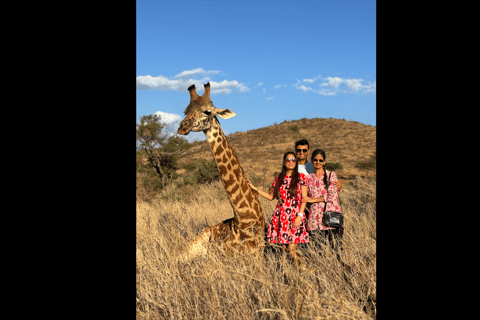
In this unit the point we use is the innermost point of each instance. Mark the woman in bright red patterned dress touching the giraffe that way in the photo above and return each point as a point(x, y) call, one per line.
point(288, 221)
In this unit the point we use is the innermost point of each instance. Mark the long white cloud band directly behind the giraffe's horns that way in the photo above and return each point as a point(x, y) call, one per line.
point(183, 80)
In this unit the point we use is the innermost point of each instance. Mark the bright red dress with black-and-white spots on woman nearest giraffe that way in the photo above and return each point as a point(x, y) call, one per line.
point(280, 228)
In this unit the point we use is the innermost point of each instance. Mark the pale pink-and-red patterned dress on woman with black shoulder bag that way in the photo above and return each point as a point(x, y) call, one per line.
point(316, 189)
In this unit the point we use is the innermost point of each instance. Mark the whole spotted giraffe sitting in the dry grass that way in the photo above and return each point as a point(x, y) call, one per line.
point(245, 231)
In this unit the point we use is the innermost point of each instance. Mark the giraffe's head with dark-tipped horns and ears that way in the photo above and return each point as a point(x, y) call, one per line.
point(200, 113)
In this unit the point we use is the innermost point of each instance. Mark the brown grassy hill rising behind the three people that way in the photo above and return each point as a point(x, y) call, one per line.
point(260, 151)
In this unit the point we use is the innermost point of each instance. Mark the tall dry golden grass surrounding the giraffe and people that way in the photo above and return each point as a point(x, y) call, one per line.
point(245, 286)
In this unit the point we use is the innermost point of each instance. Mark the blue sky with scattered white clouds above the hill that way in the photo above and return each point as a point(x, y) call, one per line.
point(267, 61)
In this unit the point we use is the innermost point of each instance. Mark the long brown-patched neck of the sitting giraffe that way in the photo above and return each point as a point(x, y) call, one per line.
point(246, 207)
